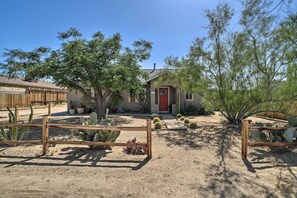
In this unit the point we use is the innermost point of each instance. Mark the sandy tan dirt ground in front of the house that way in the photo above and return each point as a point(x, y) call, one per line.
point(205, 162)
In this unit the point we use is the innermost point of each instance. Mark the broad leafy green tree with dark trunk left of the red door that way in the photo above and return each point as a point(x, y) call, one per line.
point(100, 63)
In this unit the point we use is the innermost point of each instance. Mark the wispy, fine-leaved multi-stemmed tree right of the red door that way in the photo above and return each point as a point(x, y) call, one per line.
point(244, 72)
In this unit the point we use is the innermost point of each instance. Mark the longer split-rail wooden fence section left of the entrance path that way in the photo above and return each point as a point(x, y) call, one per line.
point(46, 142)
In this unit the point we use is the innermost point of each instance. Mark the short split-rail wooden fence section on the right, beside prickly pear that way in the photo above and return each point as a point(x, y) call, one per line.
point(245, 138)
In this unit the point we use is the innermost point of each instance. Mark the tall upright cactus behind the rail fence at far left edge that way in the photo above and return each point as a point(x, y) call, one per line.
point(13, 133)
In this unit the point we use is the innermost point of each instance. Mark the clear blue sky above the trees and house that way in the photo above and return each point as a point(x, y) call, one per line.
point(171, 25)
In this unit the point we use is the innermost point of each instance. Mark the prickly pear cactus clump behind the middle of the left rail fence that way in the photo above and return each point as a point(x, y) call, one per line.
point(97, 135)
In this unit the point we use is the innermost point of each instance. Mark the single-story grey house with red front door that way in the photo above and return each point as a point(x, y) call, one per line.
point(163, 97)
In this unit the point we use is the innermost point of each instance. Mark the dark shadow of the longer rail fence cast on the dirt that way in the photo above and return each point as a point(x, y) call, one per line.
point(74, 157)
